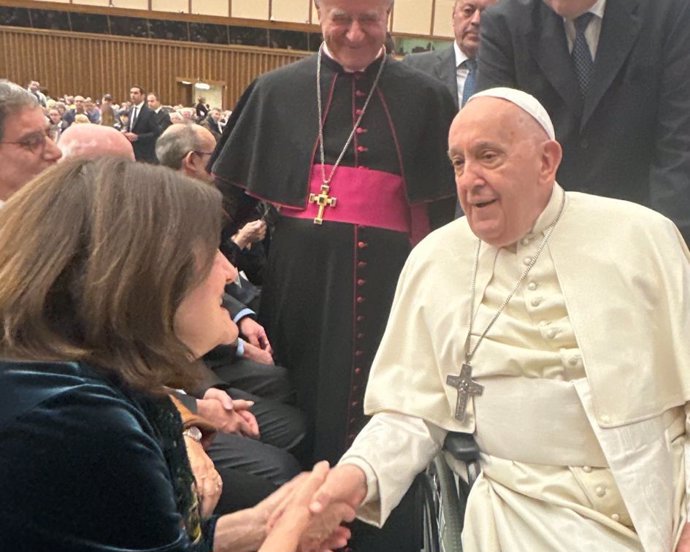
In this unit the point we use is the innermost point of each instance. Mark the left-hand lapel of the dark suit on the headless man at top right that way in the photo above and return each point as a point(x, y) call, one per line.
point(550, 50)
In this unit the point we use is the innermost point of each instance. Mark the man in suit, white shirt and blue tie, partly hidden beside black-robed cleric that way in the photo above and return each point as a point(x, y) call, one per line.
point(454, 65)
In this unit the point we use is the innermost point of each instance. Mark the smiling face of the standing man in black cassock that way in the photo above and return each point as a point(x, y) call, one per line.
point(354, 30)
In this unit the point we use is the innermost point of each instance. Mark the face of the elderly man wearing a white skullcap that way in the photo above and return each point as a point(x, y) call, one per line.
point(504, 169)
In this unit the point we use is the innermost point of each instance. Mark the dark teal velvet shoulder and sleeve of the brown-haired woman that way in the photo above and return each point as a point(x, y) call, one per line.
point(97, 471)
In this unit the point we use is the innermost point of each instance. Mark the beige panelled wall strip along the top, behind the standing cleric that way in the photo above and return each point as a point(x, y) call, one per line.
point(414, 17)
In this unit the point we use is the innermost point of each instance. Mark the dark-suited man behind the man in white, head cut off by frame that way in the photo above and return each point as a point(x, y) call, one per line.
point(616, 85)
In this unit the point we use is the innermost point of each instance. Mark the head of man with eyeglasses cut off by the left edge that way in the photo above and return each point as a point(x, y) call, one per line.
point(26, 148)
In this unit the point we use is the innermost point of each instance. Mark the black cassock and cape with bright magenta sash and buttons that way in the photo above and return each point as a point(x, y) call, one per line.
point(328, 288)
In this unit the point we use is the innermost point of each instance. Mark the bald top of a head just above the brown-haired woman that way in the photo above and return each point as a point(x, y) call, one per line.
point(94, 141)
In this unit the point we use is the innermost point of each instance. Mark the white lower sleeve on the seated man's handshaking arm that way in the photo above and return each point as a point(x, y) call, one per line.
point(391, 450)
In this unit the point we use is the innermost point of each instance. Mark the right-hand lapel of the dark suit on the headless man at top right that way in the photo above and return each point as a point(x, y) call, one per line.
point(619, 30)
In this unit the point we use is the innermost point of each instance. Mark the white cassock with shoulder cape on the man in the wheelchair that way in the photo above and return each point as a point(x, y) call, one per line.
point(586, 375)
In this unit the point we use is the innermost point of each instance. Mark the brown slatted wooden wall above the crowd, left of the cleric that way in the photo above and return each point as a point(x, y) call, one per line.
point(91, 65)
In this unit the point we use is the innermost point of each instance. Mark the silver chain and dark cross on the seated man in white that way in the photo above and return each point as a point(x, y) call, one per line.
point(463, 382)
